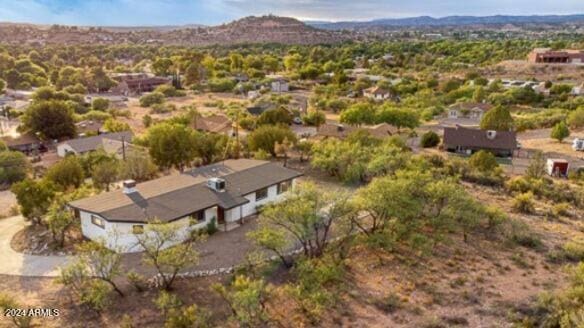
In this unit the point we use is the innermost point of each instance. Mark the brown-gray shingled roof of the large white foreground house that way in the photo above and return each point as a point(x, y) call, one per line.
point(176, 196)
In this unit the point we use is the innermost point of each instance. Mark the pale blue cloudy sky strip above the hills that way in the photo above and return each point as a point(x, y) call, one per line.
point(212, 12)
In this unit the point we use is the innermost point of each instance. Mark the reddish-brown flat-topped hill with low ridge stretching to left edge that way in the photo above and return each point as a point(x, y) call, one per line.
point(263, 29)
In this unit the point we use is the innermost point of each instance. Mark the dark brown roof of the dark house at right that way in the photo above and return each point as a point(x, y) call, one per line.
point(465, 137)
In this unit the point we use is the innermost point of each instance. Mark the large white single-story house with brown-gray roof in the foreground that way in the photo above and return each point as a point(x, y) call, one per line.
point(226, 192)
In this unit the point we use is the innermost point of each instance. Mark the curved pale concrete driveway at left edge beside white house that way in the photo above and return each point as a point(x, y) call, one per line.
point(18, 264)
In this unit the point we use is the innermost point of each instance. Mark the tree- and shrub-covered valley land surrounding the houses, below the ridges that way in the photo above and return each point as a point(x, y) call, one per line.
point(380, 231)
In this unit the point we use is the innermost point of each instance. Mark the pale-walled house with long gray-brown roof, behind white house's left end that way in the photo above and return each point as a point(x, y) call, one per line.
point(88, 144)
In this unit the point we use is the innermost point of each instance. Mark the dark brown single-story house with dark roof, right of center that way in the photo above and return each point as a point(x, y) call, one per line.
point(468, 141)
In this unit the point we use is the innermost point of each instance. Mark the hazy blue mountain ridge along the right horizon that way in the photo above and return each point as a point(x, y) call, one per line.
point(423, 21)
